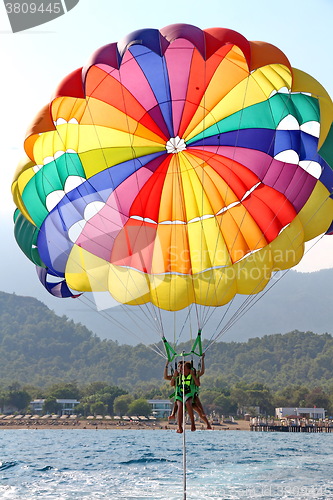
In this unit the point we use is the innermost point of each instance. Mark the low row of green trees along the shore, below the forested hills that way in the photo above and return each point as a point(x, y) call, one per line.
point(218, 398)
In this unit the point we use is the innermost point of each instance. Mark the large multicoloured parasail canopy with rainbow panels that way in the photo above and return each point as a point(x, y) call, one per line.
point(177, 166)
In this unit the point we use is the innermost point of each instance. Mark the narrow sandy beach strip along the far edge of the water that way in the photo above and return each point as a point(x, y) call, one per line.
point(241, 425)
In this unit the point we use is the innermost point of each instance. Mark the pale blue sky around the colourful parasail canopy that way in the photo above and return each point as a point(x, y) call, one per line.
point(34, 61)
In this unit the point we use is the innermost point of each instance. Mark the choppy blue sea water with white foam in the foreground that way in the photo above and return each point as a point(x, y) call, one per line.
point(148, 464)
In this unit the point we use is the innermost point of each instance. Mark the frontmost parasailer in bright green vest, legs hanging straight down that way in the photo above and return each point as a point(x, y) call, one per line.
point(186, 384)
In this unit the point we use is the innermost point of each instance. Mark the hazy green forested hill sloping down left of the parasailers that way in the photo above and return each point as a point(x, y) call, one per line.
point(39, 347)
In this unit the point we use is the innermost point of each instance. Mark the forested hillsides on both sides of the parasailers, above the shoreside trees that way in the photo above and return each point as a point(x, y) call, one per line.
point(38, 347)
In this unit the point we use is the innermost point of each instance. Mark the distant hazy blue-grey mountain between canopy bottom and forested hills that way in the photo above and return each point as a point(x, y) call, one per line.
point(291, 301)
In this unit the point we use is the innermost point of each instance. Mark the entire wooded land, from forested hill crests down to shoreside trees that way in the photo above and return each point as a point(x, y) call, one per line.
point(39, 350)
